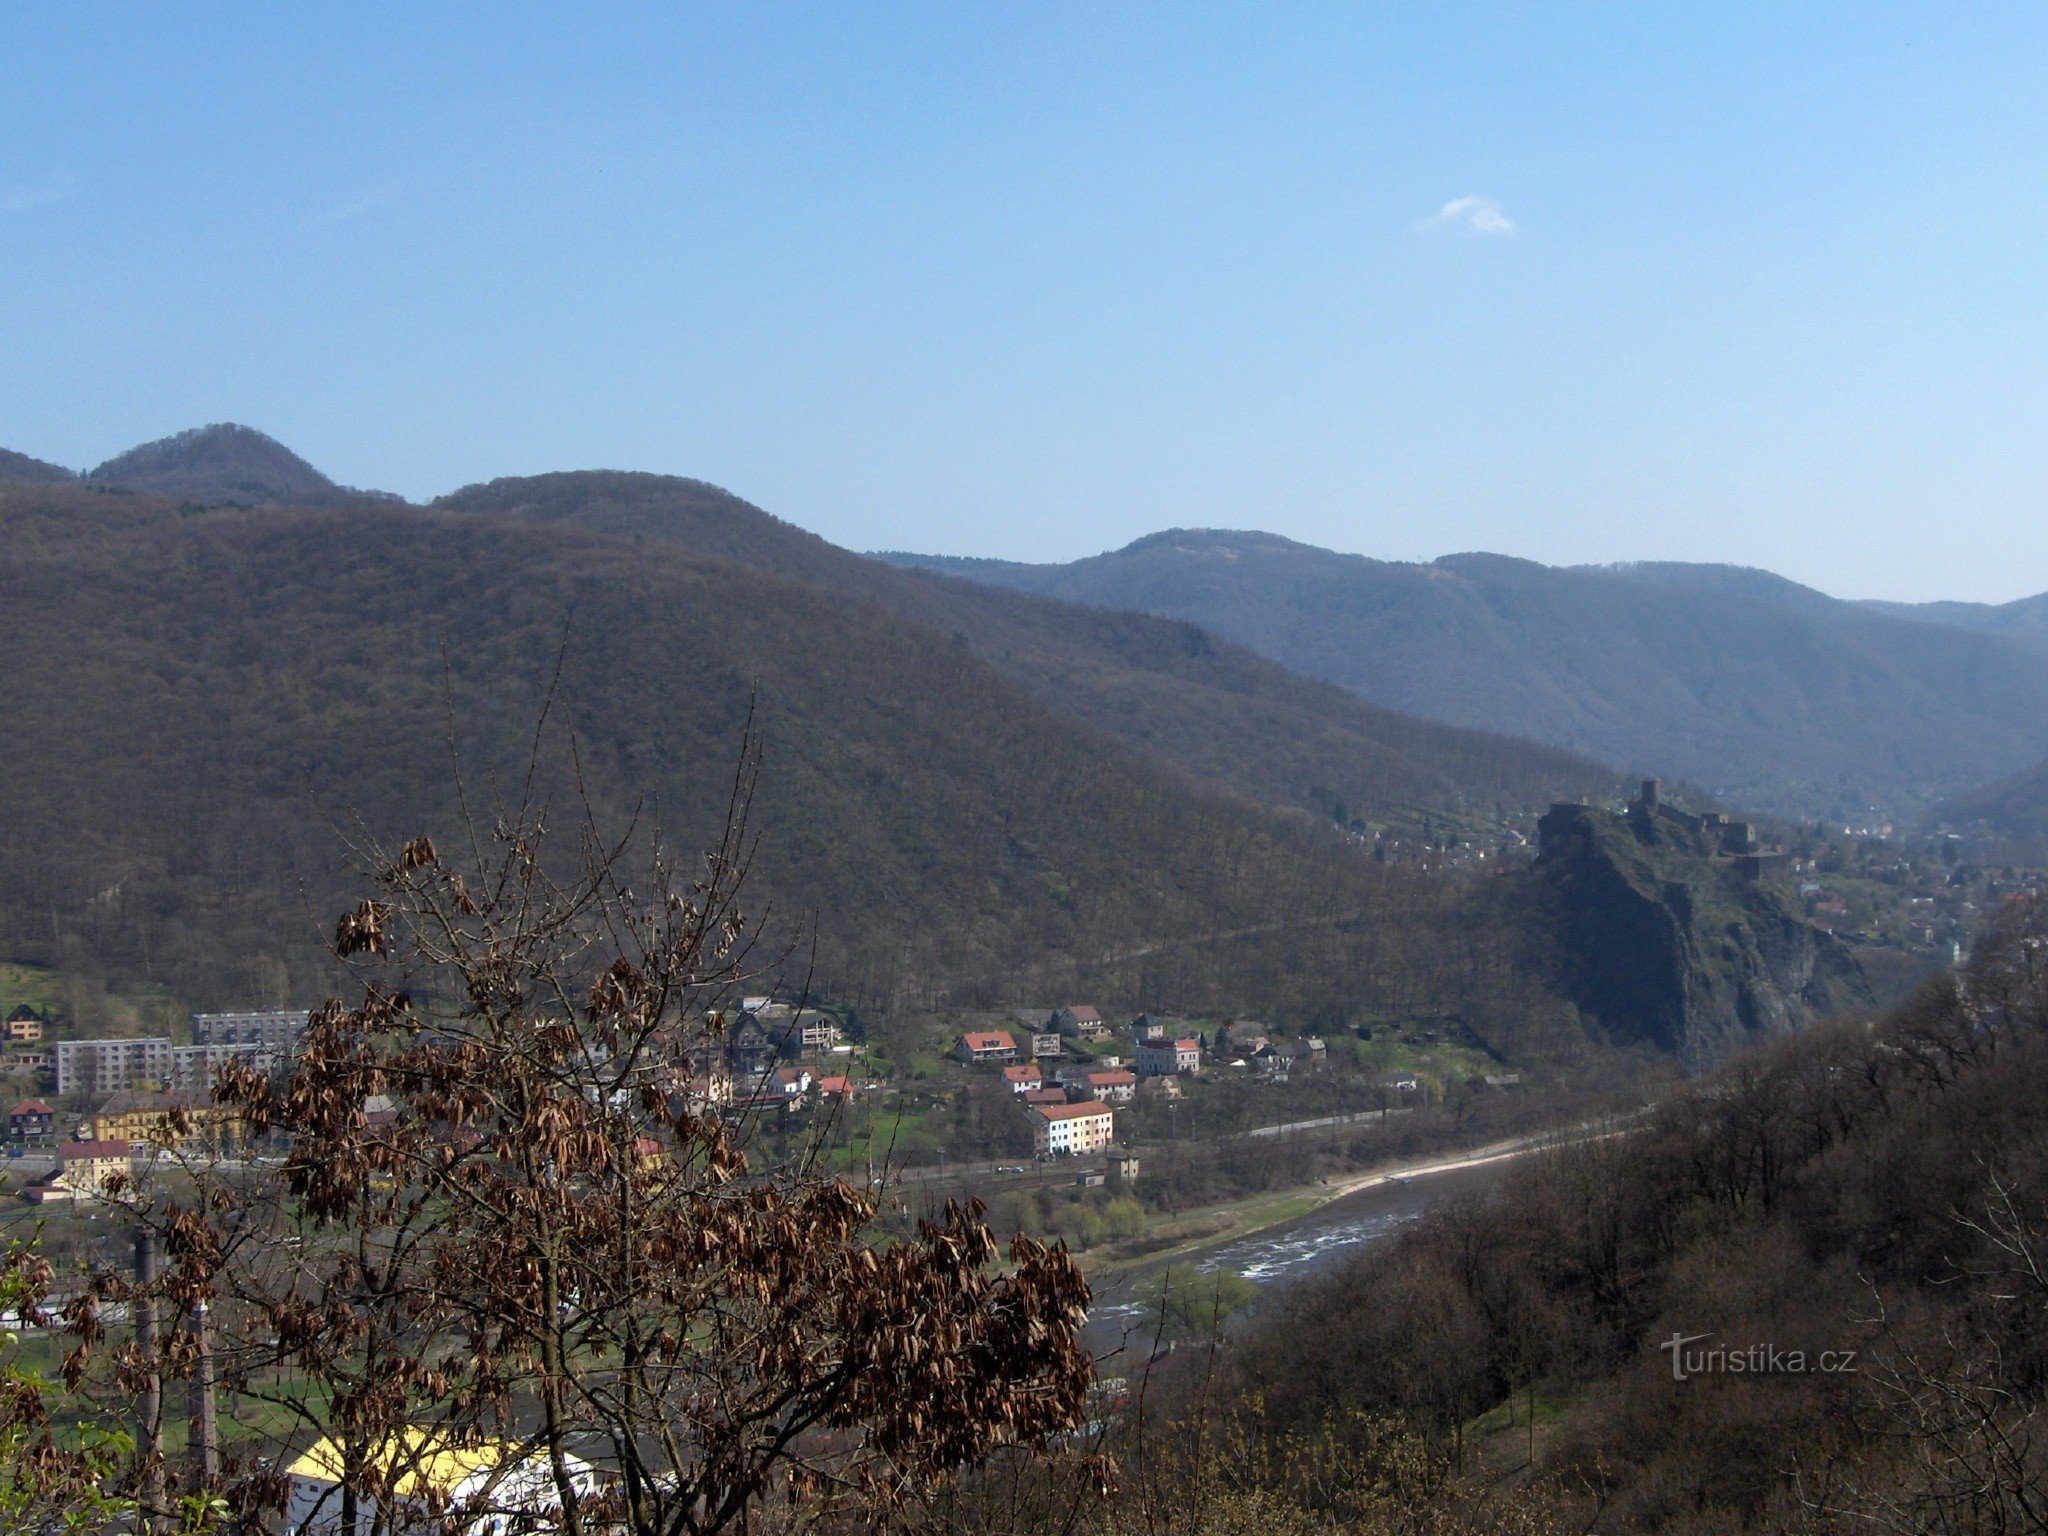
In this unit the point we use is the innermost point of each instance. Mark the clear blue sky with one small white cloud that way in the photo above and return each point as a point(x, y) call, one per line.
point(1760, 286)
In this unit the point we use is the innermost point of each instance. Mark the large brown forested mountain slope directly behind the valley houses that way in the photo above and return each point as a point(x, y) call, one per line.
point(206, 689)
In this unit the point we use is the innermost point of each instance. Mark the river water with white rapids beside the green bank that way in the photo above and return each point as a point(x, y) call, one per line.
point(1279, 1256)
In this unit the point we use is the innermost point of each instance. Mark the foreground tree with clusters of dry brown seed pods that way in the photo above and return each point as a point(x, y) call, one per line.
point(511, 1207)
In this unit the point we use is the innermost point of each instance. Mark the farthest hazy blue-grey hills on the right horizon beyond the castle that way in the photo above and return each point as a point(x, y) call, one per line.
point(1770, 693)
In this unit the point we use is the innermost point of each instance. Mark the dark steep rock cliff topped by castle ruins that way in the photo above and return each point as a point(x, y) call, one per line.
point(1664, 941)
